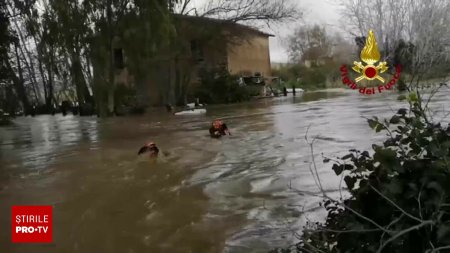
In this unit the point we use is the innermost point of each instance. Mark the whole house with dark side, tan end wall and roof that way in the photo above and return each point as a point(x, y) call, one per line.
point(202, 43)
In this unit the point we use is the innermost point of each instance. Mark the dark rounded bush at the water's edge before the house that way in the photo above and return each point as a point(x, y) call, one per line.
point(219, 87)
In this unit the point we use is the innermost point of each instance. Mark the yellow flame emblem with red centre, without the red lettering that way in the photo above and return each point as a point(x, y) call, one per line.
point(370, 55)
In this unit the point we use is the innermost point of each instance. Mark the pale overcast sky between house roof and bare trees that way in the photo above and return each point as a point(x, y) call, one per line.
point(324, 12)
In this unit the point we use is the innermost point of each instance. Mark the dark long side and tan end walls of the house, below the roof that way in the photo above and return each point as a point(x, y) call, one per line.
point(163, 85)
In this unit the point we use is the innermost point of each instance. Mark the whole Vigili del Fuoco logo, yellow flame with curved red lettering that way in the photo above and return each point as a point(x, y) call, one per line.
point(370, 71)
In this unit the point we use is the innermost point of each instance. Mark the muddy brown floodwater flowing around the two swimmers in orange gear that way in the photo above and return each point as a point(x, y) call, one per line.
point(249, 192)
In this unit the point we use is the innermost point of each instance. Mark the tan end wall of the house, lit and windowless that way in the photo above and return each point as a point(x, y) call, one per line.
point(251, 56)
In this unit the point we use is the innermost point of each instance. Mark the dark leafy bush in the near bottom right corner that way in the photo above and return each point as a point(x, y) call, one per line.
point(402, 190)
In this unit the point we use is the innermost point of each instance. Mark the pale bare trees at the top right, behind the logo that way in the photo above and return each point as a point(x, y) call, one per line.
point(412, 33)
